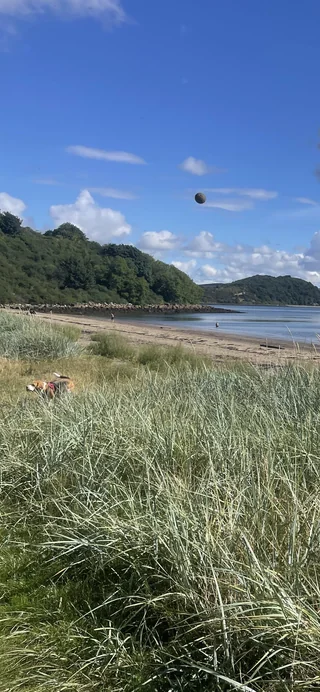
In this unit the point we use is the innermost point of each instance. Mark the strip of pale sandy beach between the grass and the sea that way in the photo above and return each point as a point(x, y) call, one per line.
point(217, 345)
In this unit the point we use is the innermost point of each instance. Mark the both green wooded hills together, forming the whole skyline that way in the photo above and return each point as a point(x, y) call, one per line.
point(62, 267)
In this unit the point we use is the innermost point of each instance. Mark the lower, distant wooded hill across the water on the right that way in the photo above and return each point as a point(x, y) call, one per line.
point(264, 290)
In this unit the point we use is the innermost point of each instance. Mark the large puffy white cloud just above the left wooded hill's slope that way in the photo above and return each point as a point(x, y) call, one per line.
point(99, 224)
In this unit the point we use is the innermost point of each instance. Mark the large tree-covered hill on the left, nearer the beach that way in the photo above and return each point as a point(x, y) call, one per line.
point(62, 266)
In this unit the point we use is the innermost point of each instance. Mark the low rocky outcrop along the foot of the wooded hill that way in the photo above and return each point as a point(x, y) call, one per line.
point(124, 309)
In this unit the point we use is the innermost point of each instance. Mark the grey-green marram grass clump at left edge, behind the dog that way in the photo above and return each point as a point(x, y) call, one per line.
point(28, 338)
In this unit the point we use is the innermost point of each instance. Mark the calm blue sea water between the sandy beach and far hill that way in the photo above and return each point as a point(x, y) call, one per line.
point(299, 324)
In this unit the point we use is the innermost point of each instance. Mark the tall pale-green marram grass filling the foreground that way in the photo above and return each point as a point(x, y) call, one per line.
point(163, 535)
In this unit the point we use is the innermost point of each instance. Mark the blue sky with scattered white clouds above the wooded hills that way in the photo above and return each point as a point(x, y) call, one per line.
point(115, 113)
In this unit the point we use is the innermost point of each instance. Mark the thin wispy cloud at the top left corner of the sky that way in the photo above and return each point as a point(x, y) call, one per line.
point(110, 10)
